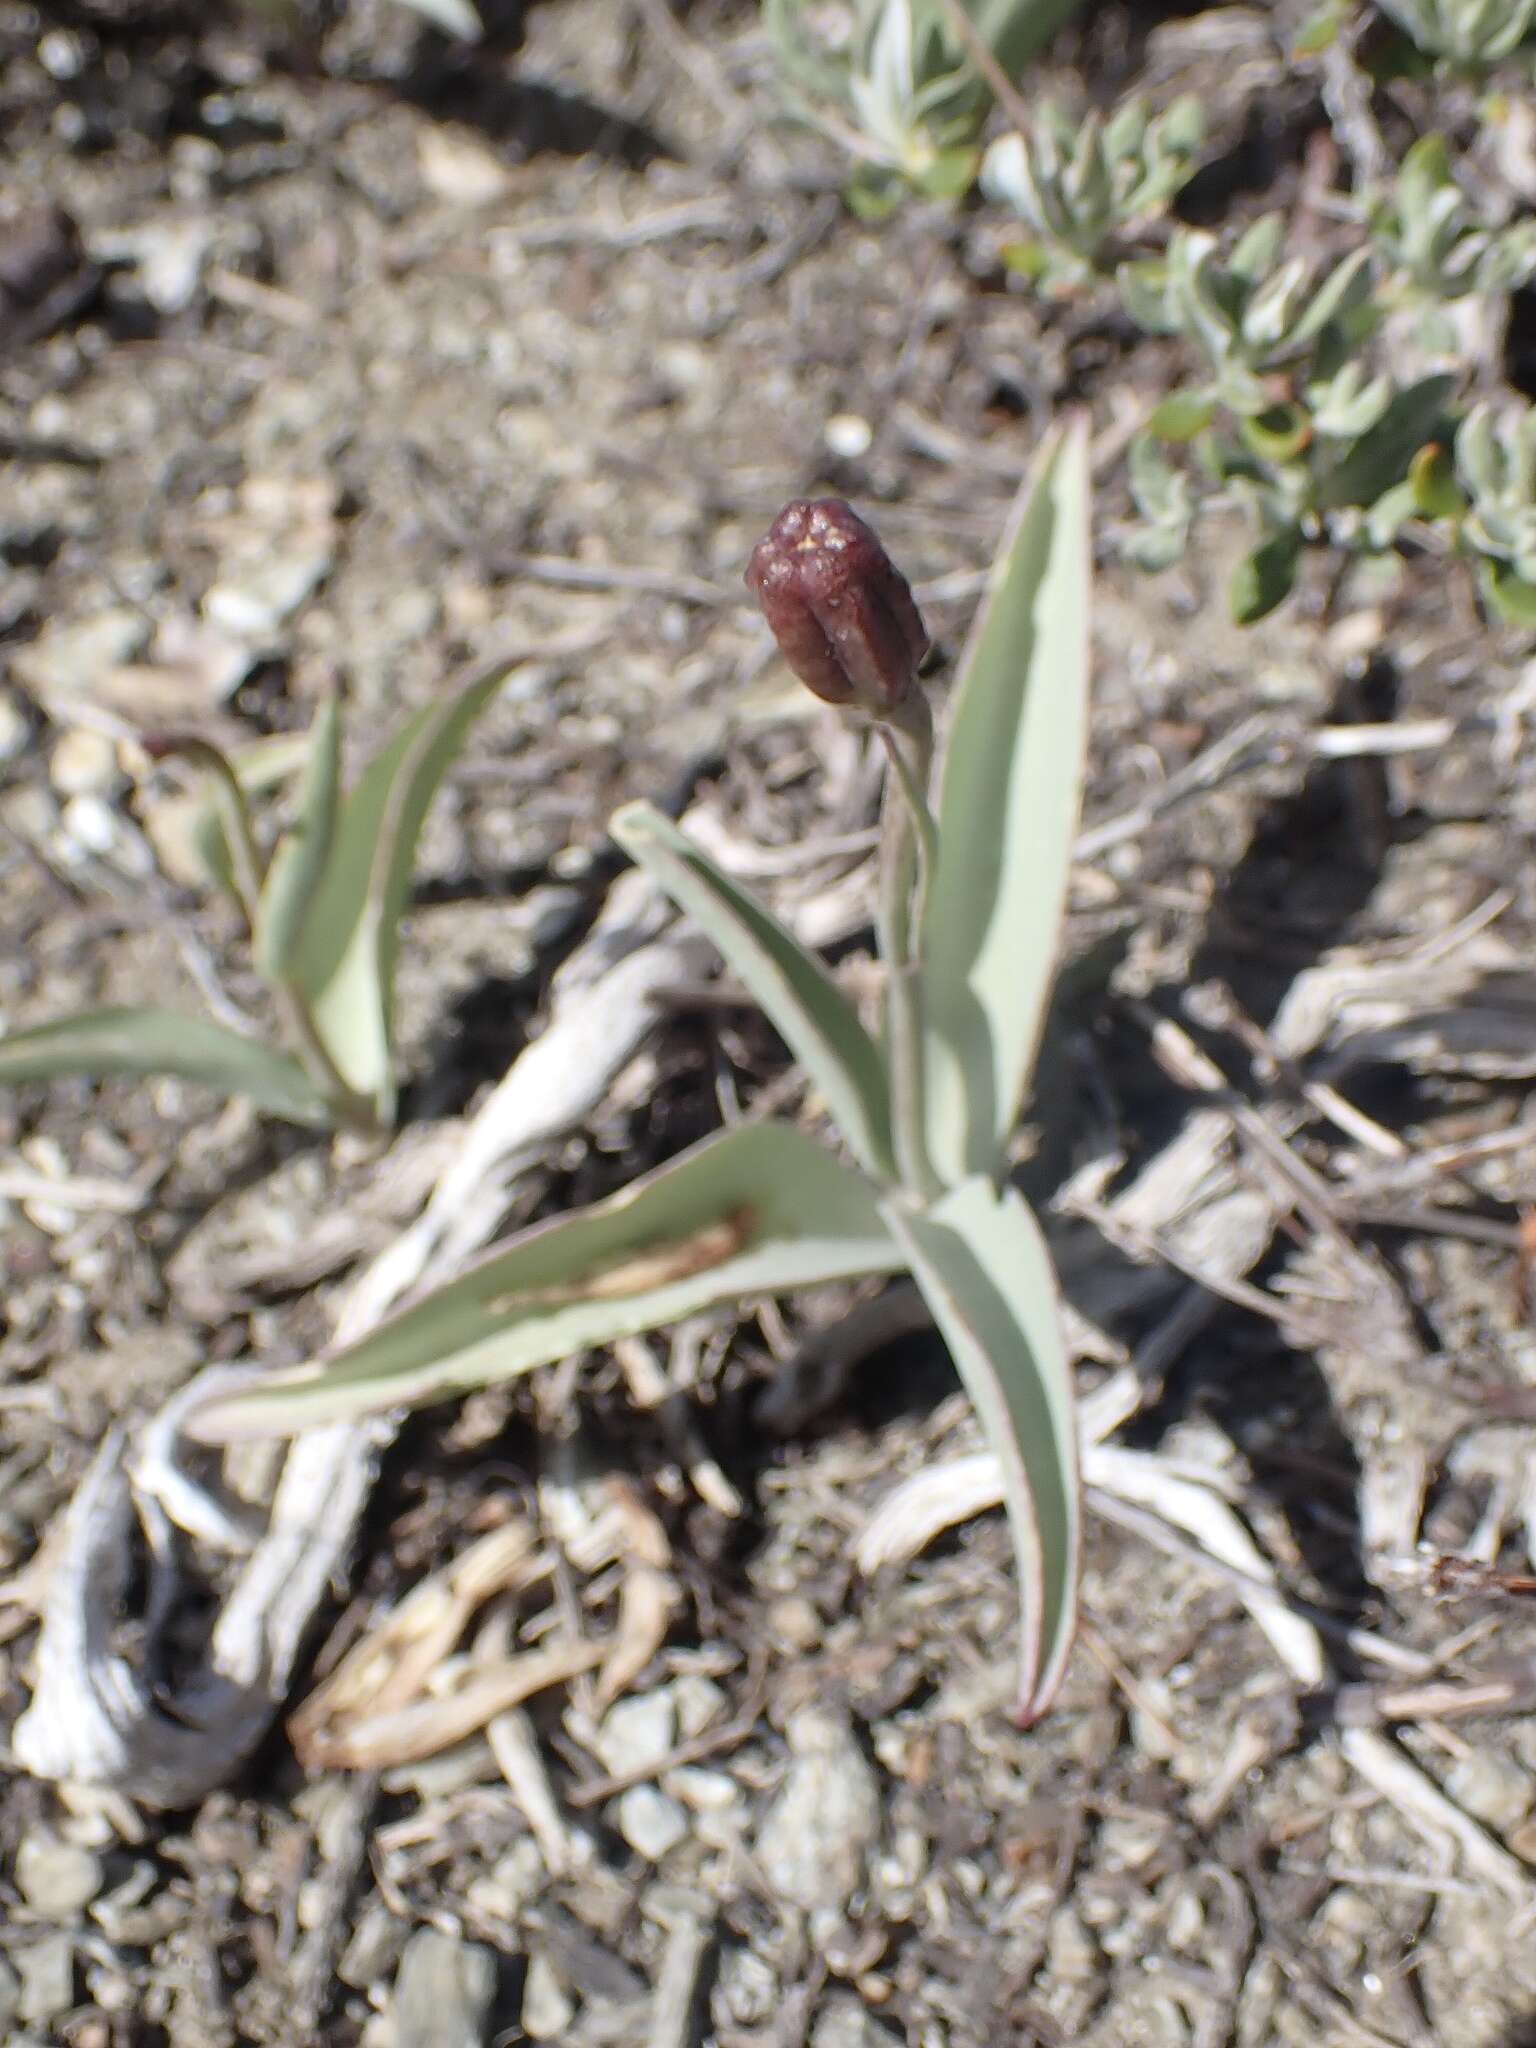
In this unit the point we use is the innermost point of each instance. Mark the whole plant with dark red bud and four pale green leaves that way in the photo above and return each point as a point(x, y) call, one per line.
point(972, 884)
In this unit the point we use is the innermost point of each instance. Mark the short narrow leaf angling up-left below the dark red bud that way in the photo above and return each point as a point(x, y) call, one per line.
point(796, 992)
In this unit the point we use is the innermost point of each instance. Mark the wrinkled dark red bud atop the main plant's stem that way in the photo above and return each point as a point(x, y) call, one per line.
point(839, 607)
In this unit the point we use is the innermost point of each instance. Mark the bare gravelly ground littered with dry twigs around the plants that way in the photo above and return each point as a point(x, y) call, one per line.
point(376, 357)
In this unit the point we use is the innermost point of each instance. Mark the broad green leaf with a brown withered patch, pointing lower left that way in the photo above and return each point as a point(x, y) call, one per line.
point(753, 1211)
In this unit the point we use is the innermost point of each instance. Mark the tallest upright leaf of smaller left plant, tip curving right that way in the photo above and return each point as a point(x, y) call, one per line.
point(345, 962)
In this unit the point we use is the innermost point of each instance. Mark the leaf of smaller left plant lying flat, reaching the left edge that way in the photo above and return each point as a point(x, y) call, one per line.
point(161, 1041)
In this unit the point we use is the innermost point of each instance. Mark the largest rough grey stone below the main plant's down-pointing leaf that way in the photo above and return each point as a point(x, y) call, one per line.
point(816, 1836)
